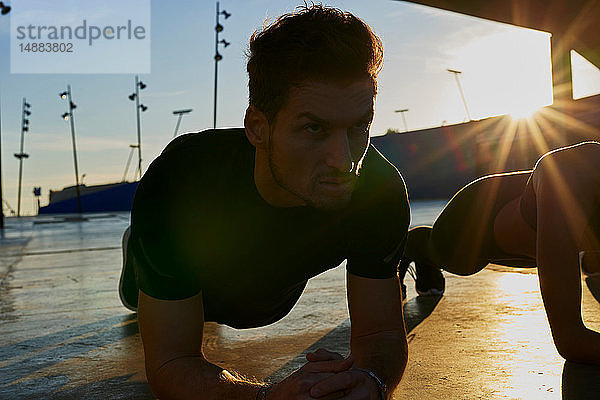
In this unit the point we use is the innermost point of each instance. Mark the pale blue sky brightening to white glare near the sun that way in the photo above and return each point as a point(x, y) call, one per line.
point(505, 69)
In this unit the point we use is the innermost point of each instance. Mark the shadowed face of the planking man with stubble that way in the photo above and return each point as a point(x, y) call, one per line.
point(318, 141)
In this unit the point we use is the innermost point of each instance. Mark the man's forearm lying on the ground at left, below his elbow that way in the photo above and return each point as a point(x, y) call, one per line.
point(192, 377)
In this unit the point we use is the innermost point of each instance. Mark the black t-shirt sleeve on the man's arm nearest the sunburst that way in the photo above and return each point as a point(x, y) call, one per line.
point(379, 220)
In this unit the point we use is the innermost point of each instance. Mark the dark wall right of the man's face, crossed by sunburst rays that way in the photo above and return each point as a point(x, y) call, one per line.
point(437, 162)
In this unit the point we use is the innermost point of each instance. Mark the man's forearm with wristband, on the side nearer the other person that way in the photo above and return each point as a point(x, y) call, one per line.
point(384, 353)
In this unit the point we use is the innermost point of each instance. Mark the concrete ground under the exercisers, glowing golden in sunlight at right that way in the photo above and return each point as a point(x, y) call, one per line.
point(65, 335)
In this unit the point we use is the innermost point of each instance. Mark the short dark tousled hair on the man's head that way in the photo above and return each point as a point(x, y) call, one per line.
point(313, 43)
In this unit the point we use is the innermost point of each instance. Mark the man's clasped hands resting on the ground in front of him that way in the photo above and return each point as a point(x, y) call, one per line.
point(326, 376)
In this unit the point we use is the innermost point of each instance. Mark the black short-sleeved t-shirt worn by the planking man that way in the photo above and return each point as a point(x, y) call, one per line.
point(199, 224)
